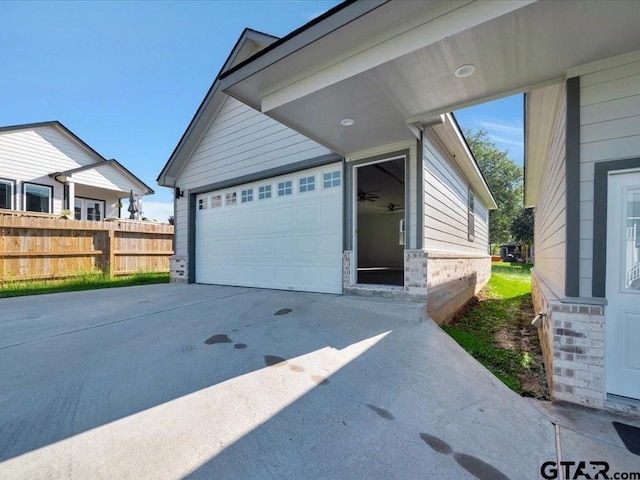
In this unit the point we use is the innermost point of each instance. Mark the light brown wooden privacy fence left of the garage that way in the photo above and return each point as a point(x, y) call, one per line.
point(42, 246)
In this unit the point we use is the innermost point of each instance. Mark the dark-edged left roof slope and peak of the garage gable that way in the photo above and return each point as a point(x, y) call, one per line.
point(249, 43)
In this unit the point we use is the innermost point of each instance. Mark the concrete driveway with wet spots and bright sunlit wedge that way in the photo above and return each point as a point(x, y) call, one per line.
point(195, 381)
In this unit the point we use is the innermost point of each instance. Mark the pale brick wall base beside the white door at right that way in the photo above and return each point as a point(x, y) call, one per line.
point(572, 336)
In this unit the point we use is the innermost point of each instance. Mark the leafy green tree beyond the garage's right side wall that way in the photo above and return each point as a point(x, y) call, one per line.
point(504, 179)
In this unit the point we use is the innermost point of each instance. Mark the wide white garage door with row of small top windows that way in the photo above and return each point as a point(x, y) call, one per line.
point(283, 233)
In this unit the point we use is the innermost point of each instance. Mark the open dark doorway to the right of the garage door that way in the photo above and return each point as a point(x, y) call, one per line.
point(380, 222)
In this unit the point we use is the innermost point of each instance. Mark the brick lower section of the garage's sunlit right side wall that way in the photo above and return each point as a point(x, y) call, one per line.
point(452, 280)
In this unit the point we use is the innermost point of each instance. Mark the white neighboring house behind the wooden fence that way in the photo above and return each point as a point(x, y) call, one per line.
point(45, 168)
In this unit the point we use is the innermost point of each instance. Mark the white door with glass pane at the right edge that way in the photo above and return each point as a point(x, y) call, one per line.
point(623, 285)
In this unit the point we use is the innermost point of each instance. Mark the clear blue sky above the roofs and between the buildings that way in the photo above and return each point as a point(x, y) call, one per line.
point(127, 76)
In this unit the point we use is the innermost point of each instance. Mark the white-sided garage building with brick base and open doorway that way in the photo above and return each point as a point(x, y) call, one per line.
point(258, 204)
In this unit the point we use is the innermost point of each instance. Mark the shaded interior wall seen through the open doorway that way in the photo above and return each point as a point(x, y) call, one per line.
point(378, 240)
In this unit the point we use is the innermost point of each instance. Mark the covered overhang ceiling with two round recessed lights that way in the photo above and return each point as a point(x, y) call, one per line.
point(390, 66)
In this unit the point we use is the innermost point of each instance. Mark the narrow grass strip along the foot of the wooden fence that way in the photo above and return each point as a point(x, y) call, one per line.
point(88, 281)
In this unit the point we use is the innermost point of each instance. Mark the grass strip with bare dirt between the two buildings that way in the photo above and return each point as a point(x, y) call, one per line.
point(488, 329)
